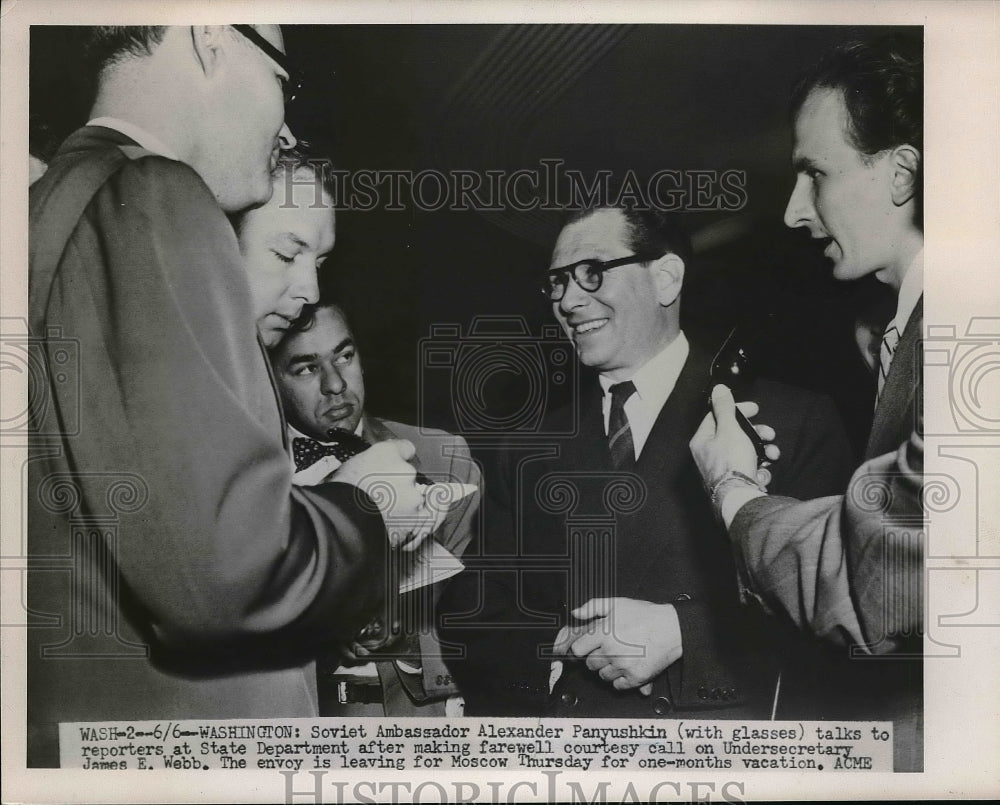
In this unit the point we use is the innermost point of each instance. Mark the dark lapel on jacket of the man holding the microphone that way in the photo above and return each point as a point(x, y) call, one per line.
point(893, 414)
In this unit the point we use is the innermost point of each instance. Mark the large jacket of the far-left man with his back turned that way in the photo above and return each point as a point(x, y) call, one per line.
point(173, 570)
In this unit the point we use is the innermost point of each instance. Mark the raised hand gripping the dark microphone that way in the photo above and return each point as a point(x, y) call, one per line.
point(719, 445)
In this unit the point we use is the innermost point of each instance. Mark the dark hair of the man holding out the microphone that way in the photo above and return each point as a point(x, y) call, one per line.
point(882, 82)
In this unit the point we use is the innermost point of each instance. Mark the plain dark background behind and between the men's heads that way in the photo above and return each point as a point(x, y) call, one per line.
point(486, 97)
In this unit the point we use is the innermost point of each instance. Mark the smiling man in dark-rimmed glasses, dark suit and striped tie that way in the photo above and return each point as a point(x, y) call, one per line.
point(601, 561)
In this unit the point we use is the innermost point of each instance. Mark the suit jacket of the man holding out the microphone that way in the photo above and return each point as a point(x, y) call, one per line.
point(850, 568)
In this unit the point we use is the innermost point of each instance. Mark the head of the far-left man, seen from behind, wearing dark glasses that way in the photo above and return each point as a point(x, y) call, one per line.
point(212, 95)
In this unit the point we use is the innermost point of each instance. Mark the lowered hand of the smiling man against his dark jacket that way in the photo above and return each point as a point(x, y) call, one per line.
point(627, 642)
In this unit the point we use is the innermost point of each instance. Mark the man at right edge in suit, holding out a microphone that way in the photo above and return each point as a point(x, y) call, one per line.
point(850, 568)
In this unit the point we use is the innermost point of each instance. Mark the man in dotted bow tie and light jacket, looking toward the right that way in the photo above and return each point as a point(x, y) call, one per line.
point(318, 369)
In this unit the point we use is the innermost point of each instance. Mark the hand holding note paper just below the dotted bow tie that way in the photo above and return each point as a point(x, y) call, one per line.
point(384, 473)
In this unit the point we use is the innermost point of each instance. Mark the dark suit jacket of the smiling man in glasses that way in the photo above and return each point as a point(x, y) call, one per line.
point(562, 527)
